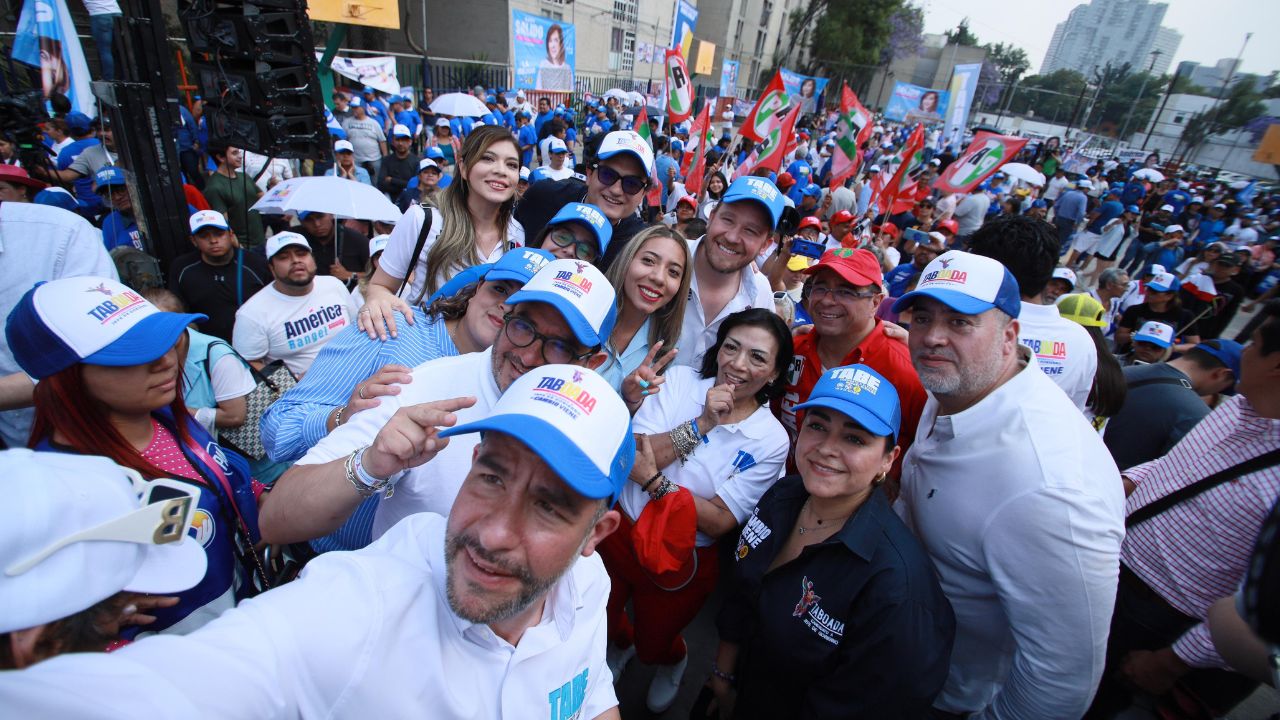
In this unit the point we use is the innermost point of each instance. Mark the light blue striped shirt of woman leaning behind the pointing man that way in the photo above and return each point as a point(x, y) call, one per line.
point(300, 420)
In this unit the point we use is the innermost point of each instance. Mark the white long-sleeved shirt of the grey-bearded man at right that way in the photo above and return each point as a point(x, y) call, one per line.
point(1022, 509)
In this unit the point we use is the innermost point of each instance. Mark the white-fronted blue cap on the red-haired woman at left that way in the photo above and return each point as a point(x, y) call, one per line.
point(92, 321)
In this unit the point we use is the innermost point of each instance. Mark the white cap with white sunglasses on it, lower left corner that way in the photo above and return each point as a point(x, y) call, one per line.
point(51, 498)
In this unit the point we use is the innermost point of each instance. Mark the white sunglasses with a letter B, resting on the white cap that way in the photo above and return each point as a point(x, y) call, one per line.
point(168, 508)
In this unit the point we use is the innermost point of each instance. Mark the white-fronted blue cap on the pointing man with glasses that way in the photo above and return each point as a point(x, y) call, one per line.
point(580, 293)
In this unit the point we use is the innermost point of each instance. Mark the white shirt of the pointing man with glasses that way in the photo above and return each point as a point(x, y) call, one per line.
point(431, 487)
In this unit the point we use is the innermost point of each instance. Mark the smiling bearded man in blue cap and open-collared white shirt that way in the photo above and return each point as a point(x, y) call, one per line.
point(725, 276)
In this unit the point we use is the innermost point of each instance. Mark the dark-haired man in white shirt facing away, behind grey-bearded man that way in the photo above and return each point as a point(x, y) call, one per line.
point(1064, 350)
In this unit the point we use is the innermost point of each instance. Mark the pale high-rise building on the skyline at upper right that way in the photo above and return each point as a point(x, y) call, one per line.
point(1116, 33)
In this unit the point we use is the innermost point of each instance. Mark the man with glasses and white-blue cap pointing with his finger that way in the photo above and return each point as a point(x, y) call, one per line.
point(564, 315)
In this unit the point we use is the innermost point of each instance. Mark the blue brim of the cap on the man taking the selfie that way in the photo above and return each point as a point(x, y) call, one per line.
point(561, 454)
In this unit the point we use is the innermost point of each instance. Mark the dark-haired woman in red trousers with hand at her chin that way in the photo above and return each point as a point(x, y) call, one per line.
point(707, 449)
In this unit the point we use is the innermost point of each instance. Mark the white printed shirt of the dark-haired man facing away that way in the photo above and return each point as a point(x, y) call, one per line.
point(1063, 349)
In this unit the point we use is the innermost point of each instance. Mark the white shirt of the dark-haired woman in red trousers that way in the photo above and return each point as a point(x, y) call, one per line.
point(738, 463)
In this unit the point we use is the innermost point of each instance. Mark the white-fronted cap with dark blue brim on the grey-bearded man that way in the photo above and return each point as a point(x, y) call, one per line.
point(967, 284)
